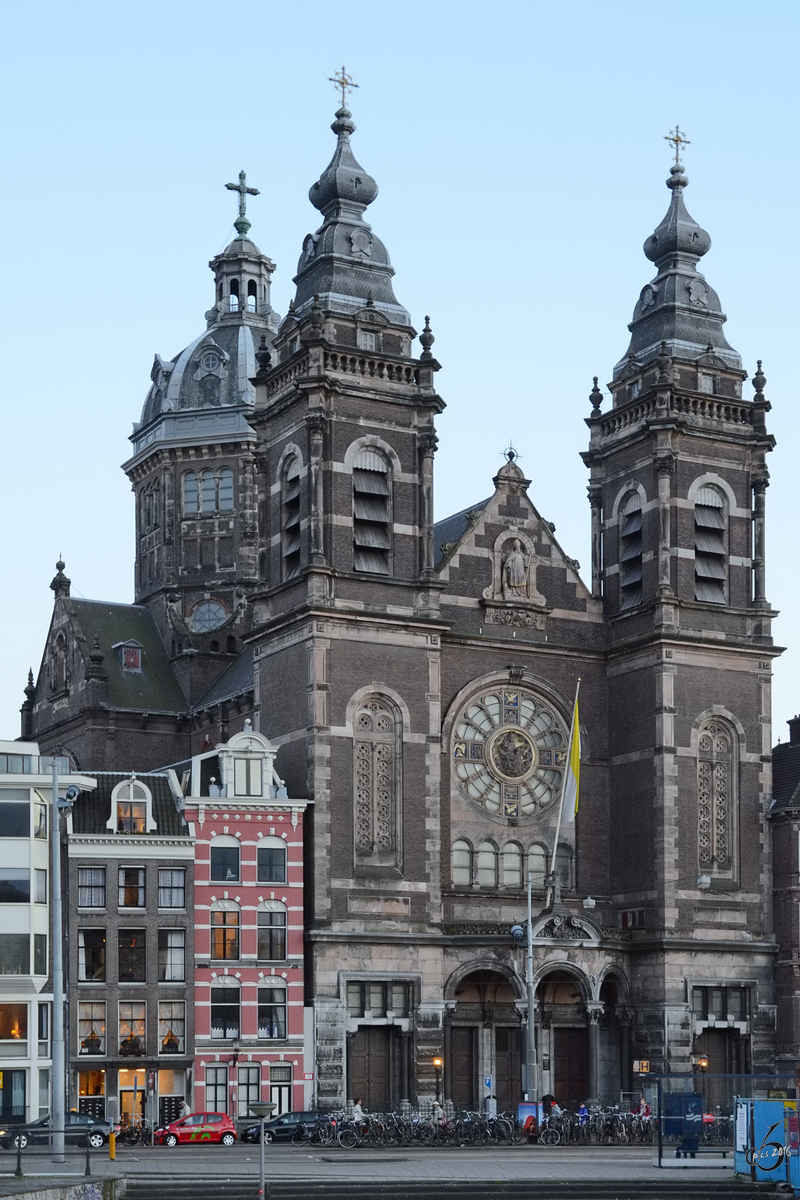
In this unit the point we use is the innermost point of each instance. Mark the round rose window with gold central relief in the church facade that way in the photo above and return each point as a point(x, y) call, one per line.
point(509, 753)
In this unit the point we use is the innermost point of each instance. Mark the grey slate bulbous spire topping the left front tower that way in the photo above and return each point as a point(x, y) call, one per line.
point(344, 263)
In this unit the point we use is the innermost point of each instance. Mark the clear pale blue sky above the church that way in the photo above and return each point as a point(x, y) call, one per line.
point(520, 153)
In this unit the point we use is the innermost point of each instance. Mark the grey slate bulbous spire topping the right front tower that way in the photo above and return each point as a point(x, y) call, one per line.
point(679, 307)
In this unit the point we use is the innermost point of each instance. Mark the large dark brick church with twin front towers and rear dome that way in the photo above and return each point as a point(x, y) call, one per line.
point(418, 679)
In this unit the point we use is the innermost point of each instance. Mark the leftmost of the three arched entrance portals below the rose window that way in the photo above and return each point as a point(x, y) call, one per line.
point(483, 1041)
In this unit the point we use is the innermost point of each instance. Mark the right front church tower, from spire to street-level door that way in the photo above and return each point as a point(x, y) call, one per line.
point(677, 491)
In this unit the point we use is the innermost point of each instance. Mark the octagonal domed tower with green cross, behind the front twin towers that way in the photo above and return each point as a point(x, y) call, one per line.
point(193, 471)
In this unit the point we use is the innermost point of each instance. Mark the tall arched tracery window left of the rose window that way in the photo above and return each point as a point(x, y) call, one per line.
point(378, 788)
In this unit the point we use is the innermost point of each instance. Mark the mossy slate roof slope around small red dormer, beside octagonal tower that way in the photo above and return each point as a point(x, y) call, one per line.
point(155, 689)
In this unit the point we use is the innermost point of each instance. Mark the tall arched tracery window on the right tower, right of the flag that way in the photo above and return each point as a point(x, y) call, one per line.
point(715, 797)
